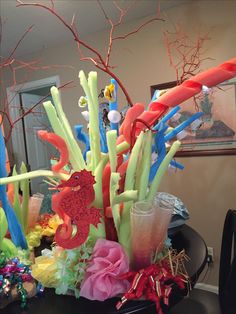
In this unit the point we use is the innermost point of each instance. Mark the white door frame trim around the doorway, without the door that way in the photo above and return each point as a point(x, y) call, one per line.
point(13, 96)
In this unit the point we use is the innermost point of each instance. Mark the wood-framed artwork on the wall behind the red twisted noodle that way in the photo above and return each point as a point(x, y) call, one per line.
point(217, 133)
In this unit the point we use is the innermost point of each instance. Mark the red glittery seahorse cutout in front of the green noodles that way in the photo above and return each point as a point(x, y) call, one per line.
point(73, 206)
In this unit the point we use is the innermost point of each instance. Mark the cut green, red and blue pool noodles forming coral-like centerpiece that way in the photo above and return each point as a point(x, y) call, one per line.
point(124, 174)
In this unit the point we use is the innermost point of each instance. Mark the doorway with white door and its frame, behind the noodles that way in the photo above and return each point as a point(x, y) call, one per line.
point(27, 147)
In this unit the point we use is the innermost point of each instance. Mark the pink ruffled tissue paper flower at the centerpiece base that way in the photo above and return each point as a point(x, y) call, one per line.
point(109, 261)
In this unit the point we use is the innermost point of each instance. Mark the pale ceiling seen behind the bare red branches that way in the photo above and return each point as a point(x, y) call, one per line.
point(49, 31)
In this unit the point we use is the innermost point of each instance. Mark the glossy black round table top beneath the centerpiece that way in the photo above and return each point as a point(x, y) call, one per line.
point(50, 303)
